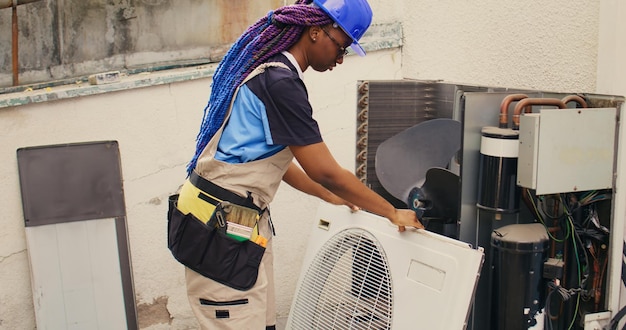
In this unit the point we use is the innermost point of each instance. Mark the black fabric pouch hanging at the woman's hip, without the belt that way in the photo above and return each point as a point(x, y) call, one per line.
point(209, 251)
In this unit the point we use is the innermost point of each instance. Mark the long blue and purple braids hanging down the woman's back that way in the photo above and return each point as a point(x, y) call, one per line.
point(269, 36)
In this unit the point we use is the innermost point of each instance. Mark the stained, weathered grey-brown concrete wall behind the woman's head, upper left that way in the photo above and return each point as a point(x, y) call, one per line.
point(70, 38)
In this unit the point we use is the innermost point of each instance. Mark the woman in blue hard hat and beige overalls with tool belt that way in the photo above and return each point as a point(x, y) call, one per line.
point(257, 120)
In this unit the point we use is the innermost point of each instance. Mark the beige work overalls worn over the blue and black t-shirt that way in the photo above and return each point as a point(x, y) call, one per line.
point(217, 306)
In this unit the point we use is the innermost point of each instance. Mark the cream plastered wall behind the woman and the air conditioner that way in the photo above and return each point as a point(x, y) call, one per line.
point(548, 45)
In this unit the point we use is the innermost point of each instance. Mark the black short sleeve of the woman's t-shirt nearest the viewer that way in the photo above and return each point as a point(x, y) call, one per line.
point(290, 115)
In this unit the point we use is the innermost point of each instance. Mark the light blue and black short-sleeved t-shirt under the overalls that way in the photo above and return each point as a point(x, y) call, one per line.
point(270, 112)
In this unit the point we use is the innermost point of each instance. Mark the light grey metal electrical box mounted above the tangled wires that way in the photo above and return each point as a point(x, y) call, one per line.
point(566, 150)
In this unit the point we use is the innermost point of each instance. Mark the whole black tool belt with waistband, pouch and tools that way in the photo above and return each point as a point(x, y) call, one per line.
point(210, 248)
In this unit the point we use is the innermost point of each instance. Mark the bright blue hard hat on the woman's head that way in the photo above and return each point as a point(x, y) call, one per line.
point(353, 16)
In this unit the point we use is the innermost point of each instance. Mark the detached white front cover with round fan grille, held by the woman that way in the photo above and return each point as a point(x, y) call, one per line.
point(361, 273)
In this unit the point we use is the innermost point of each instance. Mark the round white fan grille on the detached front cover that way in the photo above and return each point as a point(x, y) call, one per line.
point(347, 286)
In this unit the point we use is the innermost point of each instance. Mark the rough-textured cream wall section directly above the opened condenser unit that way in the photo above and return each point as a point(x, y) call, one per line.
point(547, 45)
